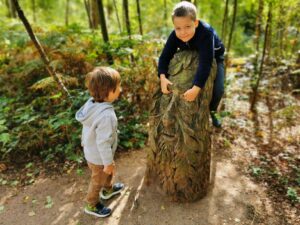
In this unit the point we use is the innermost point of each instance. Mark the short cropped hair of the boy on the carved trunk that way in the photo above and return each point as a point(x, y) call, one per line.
point(183, 9)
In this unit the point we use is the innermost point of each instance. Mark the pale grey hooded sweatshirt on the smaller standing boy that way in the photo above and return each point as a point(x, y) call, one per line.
point(99, 133)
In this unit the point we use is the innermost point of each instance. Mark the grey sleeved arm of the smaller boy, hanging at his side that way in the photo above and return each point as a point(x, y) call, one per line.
point(104, 140)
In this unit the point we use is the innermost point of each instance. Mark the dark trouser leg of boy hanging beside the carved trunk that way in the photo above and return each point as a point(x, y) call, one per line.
point(218, 89)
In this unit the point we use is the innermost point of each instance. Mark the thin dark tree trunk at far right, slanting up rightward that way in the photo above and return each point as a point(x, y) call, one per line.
point(260, 75)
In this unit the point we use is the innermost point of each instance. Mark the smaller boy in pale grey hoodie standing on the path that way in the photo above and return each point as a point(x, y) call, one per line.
point(99, 137)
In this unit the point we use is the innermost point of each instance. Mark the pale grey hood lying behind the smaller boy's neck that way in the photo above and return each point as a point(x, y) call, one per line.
point(89, 112)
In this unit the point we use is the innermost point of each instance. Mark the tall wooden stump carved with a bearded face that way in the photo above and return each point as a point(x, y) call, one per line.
point(179, 136)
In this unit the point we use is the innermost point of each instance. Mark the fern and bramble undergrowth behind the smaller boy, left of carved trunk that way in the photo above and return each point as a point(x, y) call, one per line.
point(37, 120)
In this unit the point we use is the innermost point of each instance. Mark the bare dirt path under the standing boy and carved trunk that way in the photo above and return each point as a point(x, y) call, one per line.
point(233, 199)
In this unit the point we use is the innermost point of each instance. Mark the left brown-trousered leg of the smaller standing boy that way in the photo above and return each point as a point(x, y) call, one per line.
point(98, 180)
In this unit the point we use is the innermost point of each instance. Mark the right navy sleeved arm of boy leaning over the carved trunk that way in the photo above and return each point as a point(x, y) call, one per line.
point(206, 56)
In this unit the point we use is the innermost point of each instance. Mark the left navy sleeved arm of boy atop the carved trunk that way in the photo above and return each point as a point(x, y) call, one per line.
point(167, 54)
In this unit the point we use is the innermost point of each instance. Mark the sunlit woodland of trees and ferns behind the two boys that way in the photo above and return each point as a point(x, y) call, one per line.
point(37, 125)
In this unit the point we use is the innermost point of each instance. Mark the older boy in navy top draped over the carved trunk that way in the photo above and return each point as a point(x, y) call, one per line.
point(192, 34)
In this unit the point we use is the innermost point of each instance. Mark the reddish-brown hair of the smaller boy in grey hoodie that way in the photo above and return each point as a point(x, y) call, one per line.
point(101, 81)
